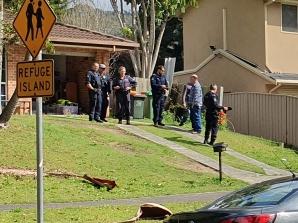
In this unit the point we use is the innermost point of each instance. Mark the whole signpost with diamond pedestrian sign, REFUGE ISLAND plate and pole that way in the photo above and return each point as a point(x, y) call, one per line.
point(33, 24)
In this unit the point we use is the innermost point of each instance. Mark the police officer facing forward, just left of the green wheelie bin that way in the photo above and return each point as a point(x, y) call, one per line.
point(122, 86)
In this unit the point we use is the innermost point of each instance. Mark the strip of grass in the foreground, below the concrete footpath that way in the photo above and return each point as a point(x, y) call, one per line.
point(108, 214)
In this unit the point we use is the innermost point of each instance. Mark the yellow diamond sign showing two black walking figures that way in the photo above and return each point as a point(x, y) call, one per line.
point(34, 23)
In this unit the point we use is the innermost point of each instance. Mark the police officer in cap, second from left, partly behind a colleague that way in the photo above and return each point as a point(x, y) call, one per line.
point(106, 91)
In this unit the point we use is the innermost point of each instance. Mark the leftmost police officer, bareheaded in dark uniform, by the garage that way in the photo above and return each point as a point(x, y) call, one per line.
point(93, 84)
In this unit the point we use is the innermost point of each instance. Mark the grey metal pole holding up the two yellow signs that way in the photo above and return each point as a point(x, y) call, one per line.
point(39, 154)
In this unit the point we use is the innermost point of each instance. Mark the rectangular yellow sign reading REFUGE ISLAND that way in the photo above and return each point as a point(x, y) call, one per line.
point(35, 78)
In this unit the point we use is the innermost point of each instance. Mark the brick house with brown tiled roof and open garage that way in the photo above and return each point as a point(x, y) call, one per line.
point(75, 51)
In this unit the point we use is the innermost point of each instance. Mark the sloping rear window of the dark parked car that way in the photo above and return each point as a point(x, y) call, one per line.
point(264, 194)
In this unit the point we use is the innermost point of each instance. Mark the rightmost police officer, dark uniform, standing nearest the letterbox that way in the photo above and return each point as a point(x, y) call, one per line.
point(211, 103)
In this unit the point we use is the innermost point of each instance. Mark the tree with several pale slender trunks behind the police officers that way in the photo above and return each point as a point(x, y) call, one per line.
point(146, 17)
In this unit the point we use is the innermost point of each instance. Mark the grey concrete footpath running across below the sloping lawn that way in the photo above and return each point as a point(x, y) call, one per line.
point(182, 198)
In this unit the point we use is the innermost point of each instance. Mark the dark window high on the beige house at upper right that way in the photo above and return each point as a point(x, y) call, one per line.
point(290, 18)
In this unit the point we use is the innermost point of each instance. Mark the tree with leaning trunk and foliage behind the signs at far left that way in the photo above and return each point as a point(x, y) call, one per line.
point(9, 35)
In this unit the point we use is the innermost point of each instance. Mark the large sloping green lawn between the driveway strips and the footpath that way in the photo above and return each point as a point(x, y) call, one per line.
point(140, 168)
